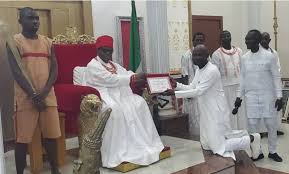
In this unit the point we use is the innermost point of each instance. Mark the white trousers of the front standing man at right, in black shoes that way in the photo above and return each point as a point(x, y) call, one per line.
point(271, 124)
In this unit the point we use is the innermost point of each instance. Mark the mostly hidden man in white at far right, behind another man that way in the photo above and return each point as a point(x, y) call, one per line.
point(265, 44)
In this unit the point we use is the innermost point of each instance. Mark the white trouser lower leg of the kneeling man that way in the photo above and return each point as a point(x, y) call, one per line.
point(242, 143)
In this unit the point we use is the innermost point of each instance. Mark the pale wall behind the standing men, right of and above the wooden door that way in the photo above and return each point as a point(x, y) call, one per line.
point(241, 16)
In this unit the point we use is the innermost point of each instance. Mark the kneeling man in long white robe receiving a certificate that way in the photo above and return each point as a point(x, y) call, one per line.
point(215, 130)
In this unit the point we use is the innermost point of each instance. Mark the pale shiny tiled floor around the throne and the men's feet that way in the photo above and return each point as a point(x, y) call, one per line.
point(185, 153)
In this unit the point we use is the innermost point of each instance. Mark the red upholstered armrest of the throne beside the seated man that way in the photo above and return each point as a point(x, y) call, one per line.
point(69, 96)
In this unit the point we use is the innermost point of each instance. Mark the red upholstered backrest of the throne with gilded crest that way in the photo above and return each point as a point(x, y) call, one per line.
point(70, 56)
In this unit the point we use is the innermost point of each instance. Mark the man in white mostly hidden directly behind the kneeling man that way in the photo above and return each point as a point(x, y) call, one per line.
point(188, 73)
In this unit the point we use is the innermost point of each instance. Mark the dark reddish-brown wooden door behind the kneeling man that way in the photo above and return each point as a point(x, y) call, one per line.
point(211, 26)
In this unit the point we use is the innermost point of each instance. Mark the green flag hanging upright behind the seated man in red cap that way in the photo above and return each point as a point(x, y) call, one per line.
point(134, 45)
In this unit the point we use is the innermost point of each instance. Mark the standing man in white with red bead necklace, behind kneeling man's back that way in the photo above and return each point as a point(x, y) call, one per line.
point(227, 59)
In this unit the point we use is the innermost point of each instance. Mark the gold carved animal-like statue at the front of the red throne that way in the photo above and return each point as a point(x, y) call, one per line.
point(92, 124)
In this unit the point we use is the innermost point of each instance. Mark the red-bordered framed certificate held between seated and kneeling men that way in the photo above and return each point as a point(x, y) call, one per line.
point(158, 84)
